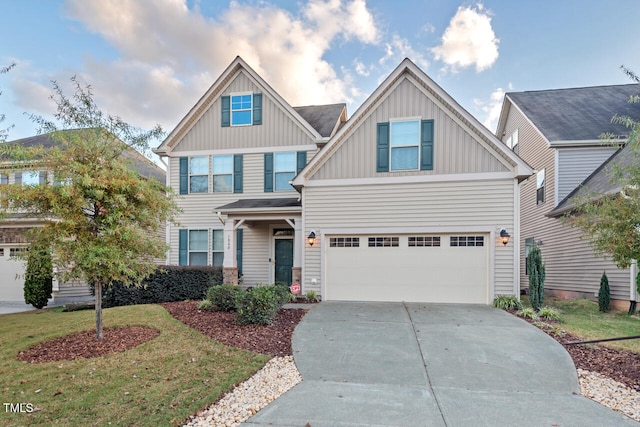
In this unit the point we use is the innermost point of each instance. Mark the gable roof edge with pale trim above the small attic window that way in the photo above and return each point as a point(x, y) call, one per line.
point(215, 91)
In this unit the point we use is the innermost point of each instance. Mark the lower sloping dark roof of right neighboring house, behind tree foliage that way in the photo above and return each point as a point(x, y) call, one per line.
point(599, 183)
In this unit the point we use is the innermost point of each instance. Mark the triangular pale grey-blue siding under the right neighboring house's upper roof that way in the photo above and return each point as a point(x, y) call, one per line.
point(576, 164)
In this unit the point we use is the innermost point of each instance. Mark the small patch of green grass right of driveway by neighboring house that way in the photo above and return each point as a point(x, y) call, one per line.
point(580, 317)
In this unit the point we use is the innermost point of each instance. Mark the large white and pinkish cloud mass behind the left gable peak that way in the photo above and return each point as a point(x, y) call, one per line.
point(170, 54)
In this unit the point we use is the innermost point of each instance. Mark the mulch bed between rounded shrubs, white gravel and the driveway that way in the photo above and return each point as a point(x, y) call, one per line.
point(273, 339)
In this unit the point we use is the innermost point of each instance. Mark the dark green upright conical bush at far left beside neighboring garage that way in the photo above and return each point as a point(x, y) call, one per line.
point(38, 282)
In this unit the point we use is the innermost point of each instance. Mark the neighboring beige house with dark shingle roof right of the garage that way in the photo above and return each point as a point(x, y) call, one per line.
point(558, 132)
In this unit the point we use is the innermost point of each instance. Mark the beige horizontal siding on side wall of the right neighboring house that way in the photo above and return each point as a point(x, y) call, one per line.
point(570, 263)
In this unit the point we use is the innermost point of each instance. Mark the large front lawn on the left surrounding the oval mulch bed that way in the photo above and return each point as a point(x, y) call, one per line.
point(160, 382)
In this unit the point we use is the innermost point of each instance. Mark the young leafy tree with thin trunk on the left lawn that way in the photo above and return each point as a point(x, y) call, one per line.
point(101, 217)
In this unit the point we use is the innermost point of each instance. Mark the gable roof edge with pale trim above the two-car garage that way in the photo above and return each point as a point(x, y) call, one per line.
point(407, 67)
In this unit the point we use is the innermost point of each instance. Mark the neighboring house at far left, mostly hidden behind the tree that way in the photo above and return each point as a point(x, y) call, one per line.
point(14, 227)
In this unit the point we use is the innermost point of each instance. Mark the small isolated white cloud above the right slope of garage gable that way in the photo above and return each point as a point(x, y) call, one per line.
point(469, 40)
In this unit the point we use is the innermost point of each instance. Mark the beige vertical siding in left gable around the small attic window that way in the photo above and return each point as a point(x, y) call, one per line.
point(277, 129)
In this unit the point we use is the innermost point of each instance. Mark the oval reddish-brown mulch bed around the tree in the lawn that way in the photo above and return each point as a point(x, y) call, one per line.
point(85, 344)
